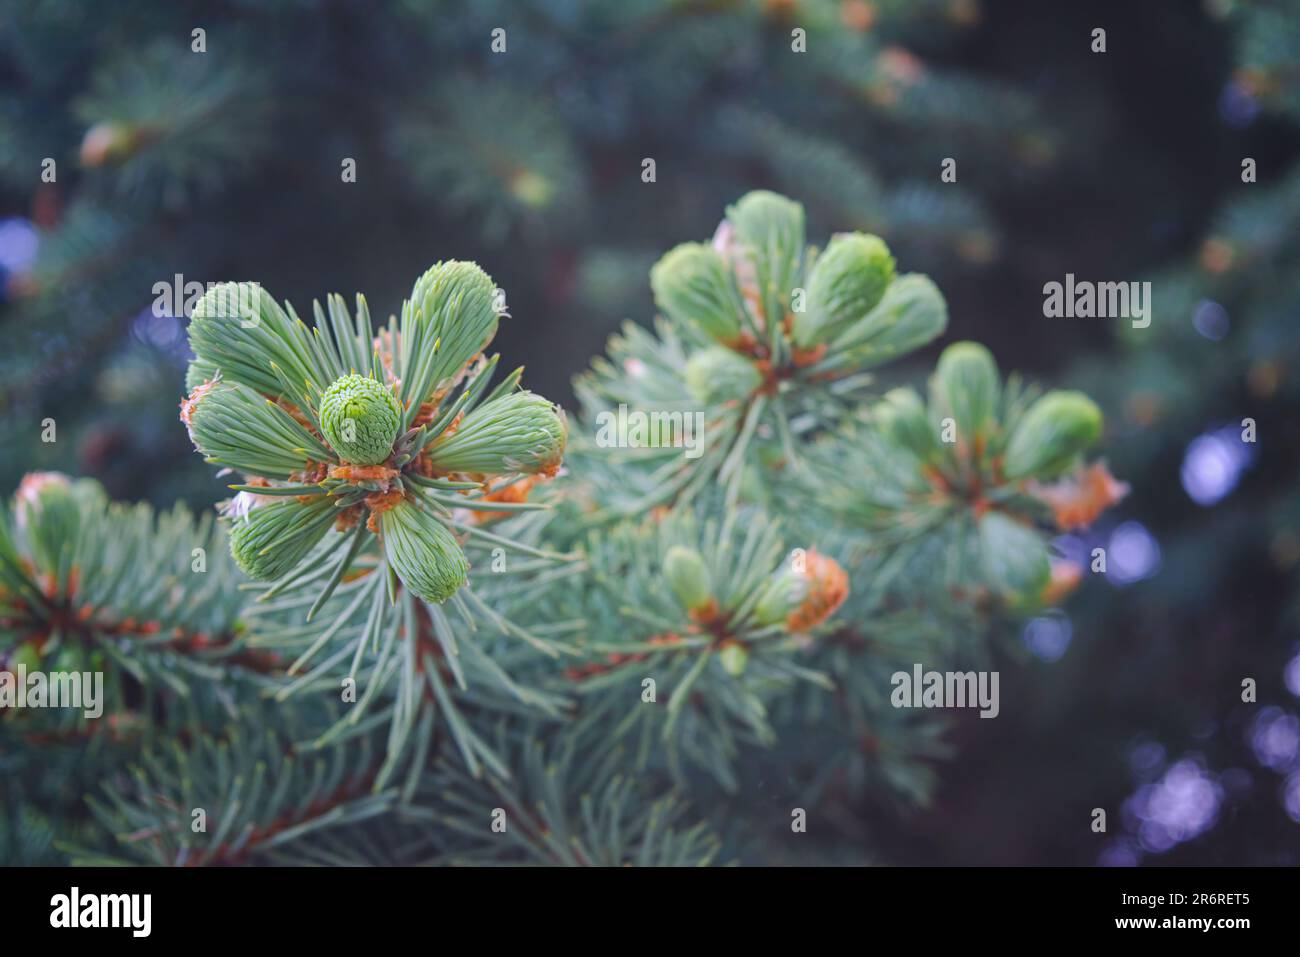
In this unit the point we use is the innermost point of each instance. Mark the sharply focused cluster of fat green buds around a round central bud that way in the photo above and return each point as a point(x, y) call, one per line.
point(344, 449)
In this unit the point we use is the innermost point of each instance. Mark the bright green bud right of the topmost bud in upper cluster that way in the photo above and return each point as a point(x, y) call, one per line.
point(847, 284)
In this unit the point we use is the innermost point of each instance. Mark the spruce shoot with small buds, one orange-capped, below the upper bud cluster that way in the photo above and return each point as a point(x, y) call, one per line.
point(718, 646)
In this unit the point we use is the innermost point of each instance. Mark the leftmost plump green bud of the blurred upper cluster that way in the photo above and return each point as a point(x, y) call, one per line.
point(692, 285)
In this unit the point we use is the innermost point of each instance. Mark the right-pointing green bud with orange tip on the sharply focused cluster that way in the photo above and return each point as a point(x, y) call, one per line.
point(521, 432)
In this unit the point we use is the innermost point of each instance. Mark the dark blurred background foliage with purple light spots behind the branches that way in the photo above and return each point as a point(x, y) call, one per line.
point(1115, 167)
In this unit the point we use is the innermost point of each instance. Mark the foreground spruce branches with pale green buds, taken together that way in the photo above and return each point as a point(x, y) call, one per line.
point(465, 618)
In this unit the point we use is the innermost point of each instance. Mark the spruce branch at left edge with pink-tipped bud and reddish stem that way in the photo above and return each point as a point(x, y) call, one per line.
point(92, 587)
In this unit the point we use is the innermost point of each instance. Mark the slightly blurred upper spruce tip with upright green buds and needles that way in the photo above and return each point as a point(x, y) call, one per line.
point(765, 340)
